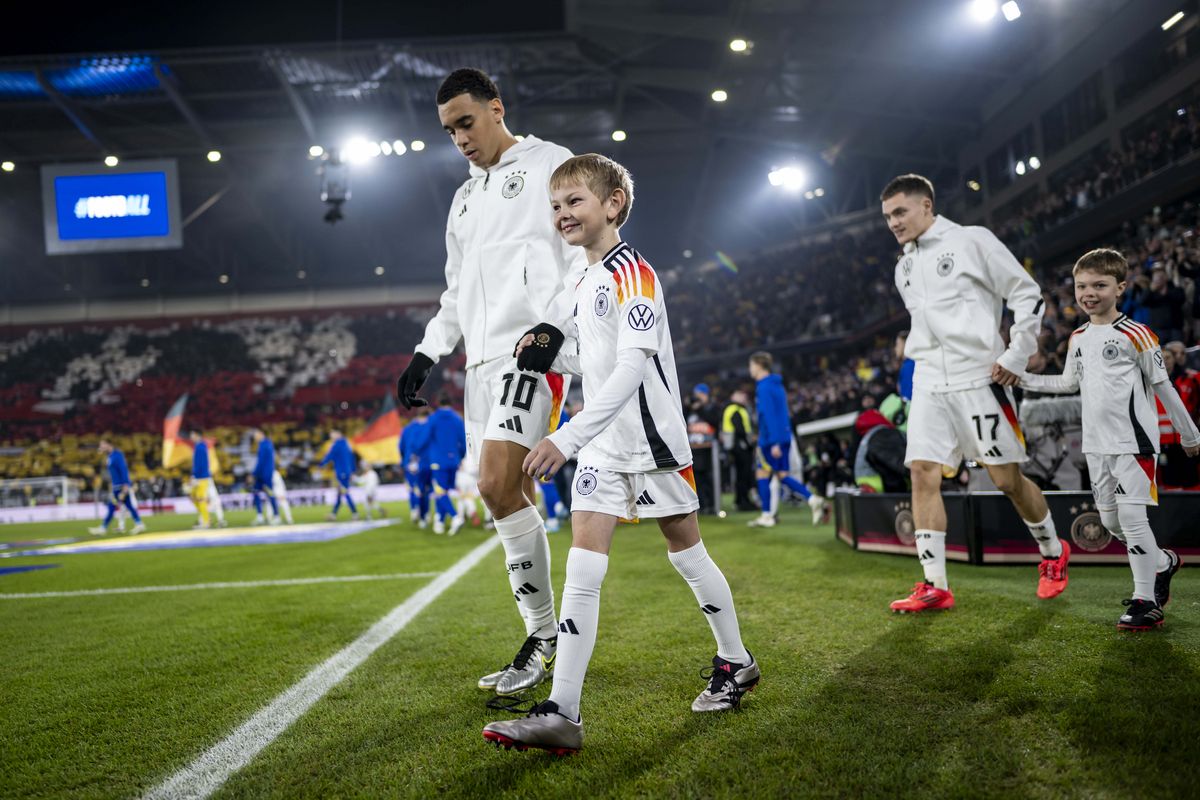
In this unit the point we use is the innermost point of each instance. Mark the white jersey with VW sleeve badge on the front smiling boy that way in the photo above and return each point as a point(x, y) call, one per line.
point(620, 305)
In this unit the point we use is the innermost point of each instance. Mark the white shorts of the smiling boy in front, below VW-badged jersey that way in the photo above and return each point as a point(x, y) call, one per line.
point(633, 496)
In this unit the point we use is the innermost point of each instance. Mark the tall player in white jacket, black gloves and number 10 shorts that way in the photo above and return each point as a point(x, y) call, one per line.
point(508, 274)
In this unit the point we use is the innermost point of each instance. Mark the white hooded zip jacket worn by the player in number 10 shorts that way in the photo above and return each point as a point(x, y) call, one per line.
point(507, 267)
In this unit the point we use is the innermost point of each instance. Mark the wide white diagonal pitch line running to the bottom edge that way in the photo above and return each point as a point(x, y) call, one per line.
point(208, 773)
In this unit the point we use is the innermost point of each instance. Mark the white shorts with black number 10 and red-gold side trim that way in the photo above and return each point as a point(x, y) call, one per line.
point(501, 402)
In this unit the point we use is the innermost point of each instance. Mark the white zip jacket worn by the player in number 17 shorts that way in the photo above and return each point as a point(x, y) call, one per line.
point(955, 281)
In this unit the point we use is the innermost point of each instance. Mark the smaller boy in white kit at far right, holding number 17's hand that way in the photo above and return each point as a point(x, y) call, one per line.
point(1118, 368)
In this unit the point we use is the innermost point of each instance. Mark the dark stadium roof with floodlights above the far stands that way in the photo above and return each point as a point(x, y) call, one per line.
point(854, 91)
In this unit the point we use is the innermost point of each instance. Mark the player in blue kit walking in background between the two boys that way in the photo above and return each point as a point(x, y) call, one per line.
point(775, 442)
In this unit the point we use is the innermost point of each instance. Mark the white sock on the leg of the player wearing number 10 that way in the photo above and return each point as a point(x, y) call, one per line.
point(527, 554)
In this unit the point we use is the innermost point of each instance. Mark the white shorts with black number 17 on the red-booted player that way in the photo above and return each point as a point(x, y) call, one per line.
point(976, 424)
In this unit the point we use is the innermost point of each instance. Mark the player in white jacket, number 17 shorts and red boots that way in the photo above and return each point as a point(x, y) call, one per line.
point(956, 282)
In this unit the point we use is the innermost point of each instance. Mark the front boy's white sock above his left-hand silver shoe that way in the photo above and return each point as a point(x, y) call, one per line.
point(578, 631)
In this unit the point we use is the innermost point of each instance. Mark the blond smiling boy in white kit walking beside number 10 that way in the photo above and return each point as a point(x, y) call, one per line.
point(633, 453)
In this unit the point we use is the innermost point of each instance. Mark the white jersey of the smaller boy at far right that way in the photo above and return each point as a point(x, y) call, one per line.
point(1115, 369)
